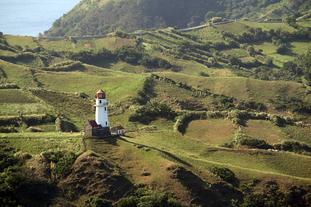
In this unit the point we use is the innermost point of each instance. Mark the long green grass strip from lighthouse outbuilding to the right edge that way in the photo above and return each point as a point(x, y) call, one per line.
point(198, 154)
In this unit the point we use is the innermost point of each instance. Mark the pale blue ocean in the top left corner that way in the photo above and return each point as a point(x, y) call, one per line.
point(31, 17)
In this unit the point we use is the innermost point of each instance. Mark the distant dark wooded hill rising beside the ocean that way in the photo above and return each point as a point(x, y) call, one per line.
point(101, 17)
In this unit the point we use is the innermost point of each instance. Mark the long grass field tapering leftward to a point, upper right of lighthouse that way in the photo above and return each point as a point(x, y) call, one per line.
point(241, 88)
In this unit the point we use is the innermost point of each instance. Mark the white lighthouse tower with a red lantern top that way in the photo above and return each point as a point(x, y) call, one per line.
point(101, 115)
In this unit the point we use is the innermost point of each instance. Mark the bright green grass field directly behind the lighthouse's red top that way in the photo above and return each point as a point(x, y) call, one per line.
point(118, 86)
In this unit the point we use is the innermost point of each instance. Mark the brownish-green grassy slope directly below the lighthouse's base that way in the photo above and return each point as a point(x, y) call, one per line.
point(132, 159)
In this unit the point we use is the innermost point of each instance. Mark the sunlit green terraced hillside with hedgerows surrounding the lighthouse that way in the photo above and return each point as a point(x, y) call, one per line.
point(218, 116)
